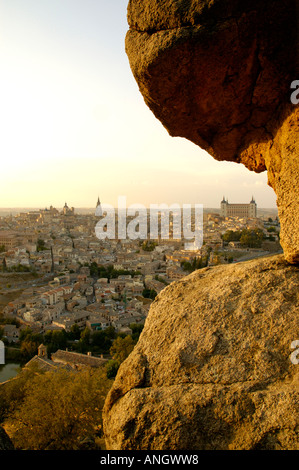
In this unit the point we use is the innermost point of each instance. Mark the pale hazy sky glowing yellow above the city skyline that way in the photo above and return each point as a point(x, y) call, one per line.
point(74, 125)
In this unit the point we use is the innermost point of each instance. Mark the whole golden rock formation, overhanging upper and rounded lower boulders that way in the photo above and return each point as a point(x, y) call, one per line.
point(213, 367)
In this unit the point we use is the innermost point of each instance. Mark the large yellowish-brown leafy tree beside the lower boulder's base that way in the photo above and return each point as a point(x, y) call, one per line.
point(59, 410)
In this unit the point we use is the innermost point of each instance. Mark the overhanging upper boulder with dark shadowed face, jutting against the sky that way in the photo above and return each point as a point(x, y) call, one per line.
point(218, 72)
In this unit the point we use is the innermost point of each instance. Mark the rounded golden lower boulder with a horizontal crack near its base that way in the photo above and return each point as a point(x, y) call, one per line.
point(212, 368)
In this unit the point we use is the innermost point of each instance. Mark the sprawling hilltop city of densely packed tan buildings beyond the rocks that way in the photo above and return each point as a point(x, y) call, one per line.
point(77, 279)
